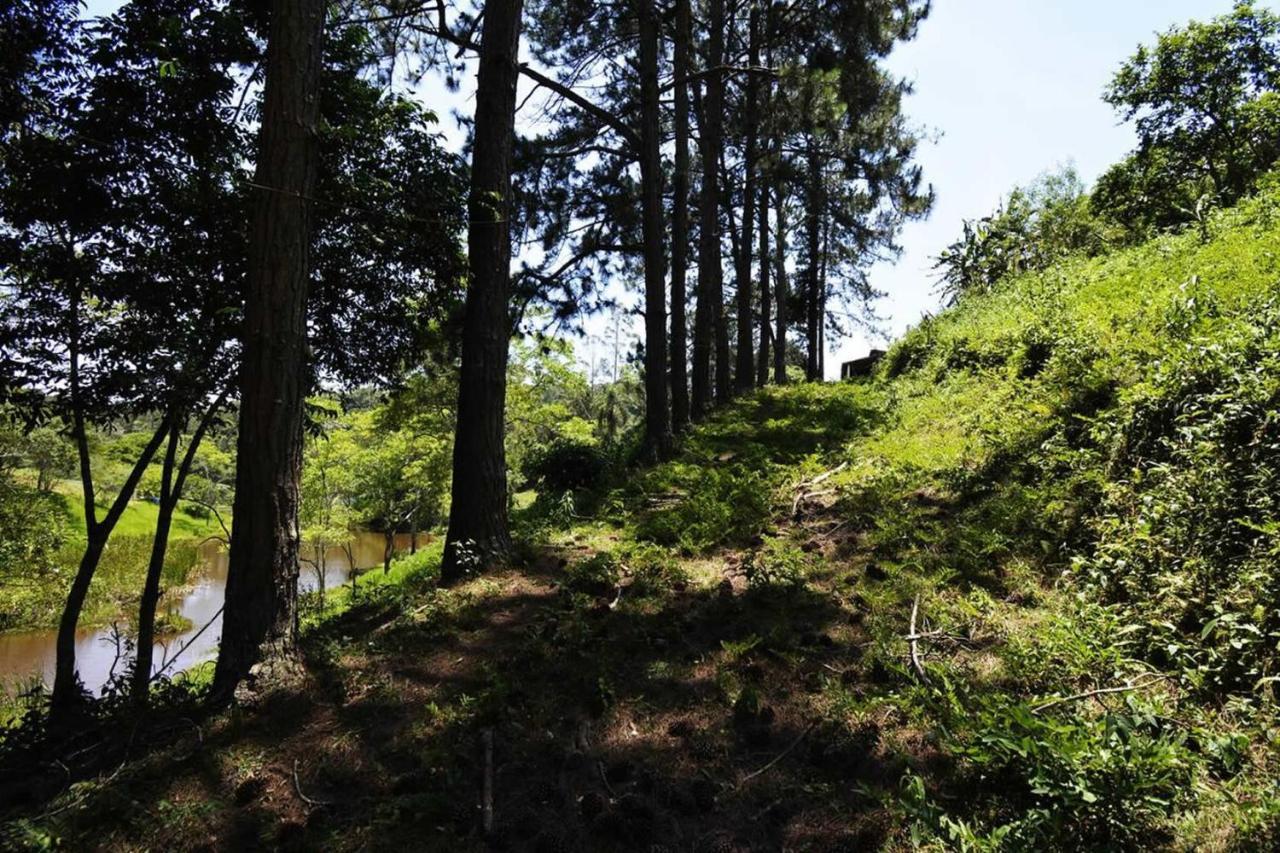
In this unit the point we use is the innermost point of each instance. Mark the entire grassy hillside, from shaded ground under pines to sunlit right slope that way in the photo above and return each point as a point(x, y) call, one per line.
point(1016, 592)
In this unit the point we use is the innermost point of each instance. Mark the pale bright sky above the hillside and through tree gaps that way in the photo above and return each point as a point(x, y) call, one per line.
point(1005, 90)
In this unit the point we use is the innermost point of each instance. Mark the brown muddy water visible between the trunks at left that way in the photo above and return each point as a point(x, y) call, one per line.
point(28, 655)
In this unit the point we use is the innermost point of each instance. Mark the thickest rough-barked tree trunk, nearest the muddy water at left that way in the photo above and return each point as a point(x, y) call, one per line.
point(260, 618)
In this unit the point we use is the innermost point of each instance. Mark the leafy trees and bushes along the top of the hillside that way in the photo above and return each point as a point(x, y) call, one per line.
point(1205, 102)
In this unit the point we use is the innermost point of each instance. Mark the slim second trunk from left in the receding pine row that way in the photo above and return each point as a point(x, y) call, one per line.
point(680, 222)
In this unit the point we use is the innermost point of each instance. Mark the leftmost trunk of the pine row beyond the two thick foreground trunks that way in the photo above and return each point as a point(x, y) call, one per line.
point(657, 418)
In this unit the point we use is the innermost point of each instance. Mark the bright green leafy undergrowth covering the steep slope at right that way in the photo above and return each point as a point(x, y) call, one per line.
point(1112, 427)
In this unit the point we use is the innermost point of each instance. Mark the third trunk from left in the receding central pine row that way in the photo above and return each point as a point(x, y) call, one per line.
point(710, 257)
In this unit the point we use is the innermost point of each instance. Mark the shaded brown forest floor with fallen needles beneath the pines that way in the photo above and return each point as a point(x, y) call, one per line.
point(679, 709)
